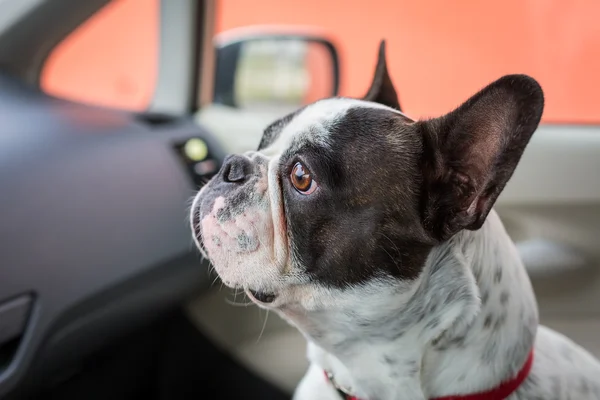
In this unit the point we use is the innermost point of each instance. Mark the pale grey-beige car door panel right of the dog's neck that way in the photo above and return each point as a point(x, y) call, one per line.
point(551, 208)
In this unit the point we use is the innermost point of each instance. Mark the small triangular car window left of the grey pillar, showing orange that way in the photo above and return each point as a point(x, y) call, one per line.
point(110, 60)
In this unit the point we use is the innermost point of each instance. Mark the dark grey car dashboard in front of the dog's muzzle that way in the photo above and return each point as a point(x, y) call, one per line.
point(94, 235)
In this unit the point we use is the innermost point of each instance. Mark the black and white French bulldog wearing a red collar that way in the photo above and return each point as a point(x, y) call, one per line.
point(374, 234)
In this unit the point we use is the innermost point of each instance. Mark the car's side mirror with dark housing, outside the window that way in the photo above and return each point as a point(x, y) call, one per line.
point(258, 70)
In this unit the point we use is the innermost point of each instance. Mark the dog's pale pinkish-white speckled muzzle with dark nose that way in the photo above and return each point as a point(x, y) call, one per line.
point(232, 221)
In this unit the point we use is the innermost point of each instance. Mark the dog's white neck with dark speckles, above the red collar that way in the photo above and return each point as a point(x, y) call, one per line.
point(466, 326)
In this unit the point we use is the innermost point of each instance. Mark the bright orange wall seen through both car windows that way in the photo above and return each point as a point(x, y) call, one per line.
point(439, 52)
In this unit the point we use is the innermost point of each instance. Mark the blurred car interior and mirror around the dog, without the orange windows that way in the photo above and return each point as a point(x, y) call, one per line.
point(102, 291)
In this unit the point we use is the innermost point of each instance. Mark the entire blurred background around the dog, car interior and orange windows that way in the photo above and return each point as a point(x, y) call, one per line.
point(114, 113)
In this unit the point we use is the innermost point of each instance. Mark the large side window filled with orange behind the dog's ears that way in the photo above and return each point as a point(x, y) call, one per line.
point(441, 52)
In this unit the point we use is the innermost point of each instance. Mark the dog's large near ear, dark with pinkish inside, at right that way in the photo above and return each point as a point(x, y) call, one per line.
point(470, 153)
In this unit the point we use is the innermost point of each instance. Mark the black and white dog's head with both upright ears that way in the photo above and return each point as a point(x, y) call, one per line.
point(345, 191)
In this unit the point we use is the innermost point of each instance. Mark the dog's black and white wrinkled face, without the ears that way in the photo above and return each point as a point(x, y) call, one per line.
point(330, 199)
